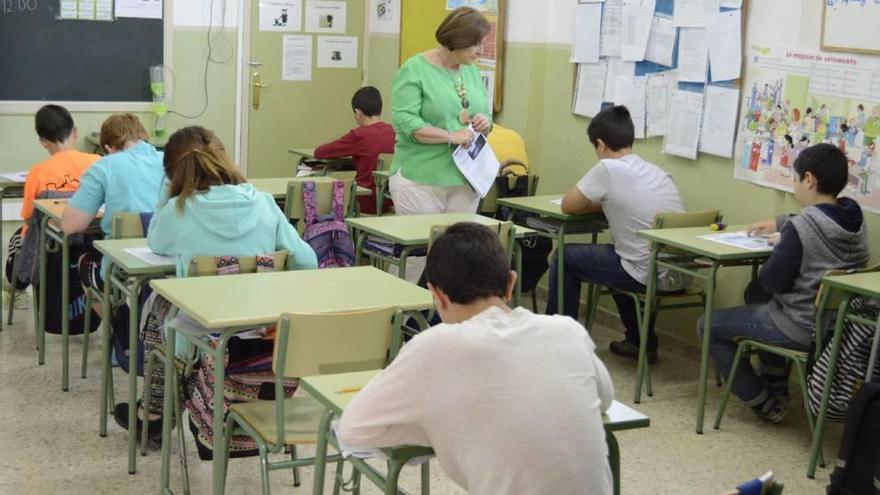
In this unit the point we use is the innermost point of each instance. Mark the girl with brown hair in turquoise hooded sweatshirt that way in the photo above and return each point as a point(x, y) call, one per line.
point(212, 210)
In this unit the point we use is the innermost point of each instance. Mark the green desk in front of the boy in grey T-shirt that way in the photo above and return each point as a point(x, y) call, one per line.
point(555, 225)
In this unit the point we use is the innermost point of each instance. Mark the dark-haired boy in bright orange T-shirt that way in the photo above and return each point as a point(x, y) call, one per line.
point(61, 172)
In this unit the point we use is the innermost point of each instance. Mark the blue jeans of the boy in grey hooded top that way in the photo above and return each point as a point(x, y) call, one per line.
point(753, 322)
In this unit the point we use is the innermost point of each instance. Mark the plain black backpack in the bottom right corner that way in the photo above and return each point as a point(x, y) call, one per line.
point(857, 470)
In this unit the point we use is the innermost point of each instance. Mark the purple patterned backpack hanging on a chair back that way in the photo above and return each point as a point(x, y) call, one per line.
point(328, 235)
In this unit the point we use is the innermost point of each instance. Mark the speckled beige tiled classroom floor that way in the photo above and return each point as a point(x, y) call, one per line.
point(49, 440)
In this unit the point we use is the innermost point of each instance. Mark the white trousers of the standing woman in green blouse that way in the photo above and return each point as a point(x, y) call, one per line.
point(412, 198)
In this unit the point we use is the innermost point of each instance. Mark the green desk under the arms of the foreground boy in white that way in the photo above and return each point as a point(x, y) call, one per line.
point(333, 392)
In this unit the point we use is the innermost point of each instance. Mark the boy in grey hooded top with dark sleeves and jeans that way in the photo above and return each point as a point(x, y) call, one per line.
point(829, 234)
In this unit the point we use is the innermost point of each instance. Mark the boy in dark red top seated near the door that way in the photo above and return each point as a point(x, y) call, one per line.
point(364, 143)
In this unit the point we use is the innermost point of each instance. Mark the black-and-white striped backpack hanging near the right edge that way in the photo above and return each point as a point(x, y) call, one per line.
point(852, 363)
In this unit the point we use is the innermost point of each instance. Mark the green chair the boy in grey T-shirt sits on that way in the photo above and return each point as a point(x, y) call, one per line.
point(689, 297)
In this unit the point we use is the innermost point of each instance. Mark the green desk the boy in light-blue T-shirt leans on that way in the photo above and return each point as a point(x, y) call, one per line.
point(50, 228)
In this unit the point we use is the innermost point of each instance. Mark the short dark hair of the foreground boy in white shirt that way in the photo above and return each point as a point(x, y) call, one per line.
point(467, 262)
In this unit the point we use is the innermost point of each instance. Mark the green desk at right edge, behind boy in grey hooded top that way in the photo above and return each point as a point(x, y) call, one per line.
point(858, 284)
